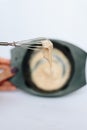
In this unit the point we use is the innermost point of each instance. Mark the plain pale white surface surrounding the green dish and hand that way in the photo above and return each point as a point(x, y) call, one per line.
point(24, 19)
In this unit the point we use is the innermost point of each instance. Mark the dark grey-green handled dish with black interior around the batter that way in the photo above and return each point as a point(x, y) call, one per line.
point(23, 80)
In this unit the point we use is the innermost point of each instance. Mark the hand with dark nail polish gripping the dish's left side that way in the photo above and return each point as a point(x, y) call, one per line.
point(6, 72)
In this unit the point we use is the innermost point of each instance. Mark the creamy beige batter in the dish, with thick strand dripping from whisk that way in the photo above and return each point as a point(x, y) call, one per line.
point(42, 77)
